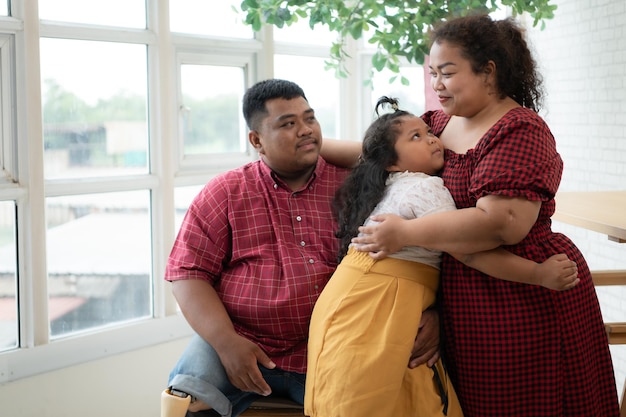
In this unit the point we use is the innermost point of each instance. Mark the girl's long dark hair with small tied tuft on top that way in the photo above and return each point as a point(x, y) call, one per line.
point(365, 186)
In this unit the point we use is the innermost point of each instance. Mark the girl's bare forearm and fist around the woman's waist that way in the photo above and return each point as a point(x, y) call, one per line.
point(556, 273)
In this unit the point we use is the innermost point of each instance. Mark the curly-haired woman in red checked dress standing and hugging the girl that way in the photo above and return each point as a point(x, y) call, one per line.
point(513, 349)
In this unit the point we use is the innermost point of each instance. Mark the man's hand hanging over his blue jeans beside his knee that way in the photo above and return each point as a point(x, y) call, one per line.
point(241, 359)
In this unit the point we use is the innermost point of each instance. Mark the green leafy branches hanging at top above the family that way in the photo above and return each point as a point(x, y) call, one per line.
point(400, 26)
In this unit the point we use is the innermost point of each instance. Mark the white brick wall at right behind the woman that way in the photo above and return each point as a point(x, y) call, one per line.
point(582, 55)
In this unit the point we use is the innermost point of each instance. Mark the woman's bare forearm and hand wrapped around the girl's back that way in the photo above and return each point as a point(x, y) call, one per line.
point(495, 221)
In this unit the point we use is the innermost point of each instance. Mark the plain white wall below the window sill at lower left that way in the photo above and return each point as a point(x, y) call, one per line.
point(128, 384)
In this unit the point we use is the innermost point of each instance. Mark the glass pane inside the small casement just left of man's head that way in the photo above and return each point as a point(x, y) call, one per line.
point(212, 121)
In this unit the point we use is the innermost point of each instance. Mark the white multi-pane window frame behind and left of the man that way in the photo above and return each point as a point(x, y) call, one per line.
point(36, 352)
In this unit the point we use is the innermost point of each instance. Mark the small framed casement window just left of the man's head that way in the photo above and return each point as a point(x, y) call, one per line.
point(212, 132)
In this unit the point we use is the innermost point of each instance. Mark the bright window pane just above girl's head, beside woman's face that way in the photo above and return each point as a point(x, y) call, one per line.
point(411, 97)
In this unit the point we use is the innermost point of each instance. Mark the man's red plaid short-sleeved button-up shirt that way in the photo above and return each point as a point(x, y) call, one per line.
point(267, 250)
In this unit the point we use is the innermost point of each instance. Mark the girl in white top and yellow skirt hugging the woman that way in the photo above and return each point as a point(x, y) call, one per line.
point(364, 323)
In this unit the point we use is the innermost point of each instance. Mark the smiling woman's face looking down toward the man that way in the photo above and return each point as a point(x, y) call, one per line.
point(461, 91)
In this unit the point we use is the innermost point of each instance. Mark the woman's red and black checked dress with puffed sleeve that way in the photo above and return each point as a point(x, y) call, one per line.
point(515, 349)
